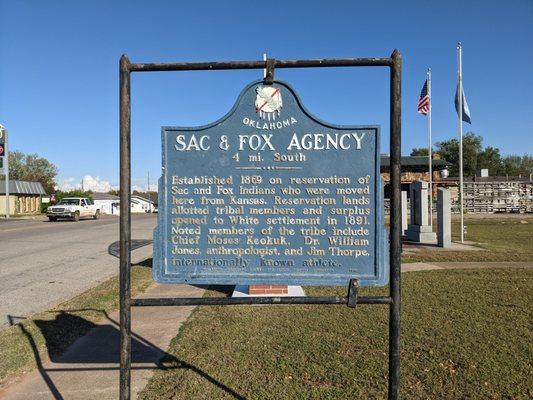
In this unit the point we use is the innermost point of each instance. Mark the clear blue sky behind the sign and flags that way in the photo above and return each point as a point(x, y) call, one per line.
point(59, 70)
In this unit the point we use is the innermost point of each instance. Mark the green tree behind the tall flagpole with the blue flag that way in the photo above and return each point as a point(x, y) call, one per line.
point(472, 147)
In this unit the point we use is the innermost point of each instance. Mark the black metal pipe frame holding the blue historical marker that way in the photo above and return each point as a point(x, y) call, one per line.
point(394, 63)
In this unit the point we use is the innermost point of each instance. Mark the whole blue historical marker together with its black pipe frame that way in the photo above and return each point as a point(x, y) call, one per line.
point(269, 194)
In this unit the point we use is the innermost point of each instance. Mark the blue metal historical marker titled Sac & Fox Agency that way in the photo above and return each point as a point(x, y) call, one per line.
point(270, 194)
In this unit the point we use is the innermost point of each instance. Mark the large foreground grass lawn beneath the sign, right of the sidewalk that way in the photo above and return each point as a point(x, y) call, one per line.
point(465, 334)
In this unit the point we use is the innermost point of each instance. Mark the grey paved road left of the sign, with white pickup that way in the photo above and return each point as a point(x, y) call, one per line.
point(44, 263)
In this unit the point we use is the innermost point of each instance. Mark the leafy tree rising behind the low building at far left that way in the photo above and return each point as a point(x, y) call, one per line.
point(31, 167)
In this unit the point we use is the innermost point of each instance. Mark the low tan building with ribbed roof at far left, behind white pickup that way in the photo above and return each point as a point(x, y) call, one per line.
point(24, 197)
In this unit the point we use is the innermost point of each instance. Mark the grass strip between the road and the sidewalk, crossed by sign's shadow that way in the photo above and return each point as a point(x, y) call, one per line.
point(50, 333)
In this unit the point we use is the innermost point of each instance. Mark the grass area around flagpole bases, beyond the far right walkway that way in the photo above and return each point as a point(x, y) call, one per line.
point(506, 238)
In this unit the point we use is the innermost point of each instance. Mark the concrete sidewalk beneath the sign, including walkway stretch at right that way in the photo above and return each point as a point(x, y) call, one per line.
point(90, 368)
